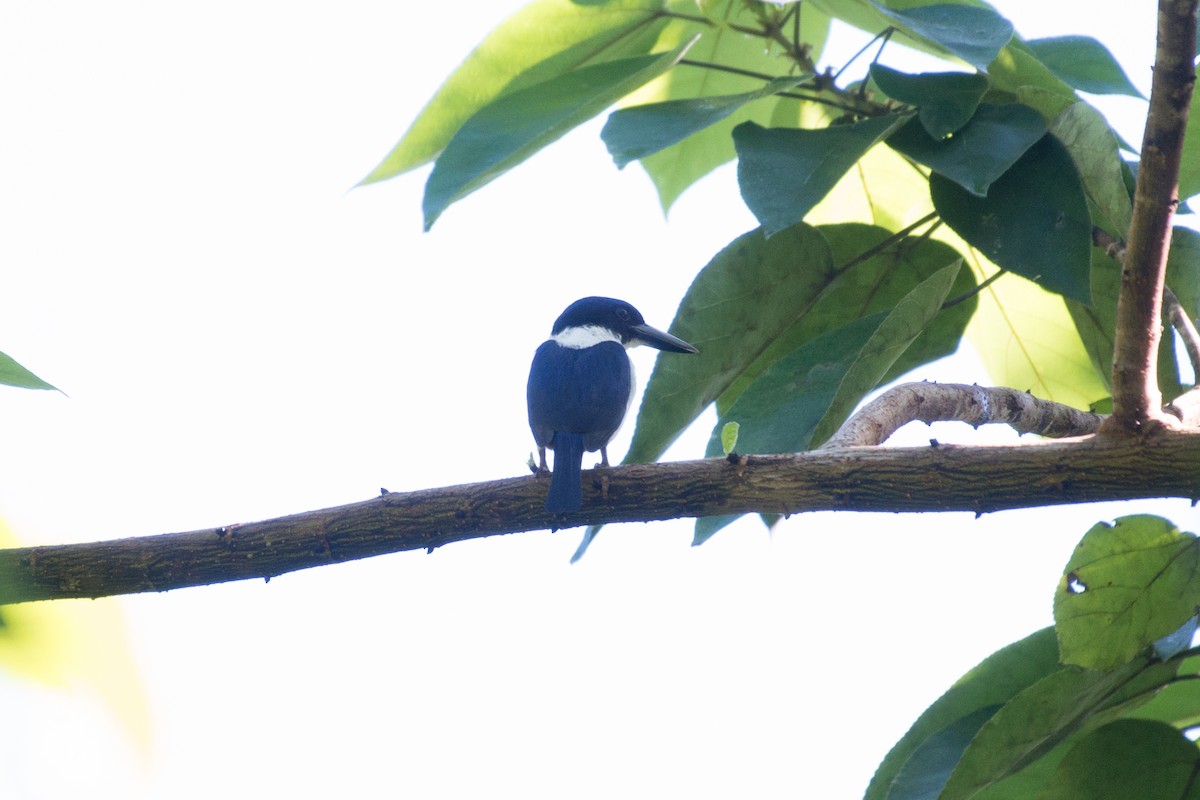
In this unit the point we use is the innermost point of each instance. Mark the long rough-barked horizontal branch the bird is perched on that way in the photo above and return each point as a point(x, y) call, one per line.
point(977, 479)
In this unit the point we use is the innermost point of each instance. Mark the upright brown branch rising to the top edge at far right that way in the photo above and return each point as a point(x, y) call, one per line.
point(1136, 396)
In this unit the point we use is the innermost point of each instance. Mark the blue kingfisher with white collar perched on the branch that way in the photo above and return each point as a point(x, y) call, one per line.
point(581, 386)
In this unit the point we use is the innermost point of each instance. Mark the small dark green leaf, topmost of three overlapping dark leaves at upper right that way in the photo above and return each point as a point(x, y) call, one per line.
point(946, 100)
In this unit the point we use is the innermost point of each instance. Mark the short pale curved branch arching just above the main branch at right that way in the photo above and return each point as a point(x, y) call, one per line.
point(976, 406)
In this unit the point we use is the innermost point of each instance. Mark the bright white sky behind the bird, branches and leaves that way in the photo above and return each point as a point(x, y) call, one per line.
point(242, 336)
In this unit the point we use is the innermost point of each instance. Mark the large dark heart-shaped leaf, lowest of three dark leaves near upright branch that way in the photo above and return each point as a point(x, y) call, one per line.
point(1034, 222)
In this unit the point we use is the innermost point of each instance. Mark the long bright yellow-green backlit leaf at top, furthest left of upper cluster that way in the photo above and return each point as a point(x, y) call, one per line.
point(542, 41)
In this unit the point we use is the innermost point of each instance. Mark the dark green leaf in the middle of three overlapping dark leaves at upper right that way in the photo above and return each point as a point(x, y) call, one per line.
point(976, 157)
